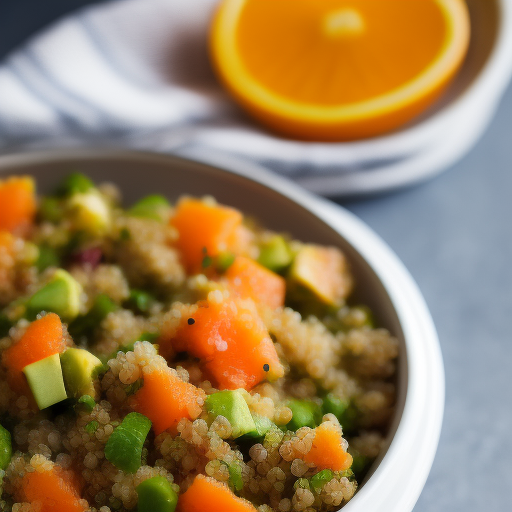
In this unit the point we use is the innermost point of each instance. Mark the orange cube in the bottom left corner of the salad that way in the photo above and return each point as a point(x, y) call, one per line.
point(54, 490)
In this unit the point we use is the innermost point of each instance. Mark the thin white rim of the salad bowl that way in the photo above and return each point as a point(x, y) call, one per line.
point(397, 481)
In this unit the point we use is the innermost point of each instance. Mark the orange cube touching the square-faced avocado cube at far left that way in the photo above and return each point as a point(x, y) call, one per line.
point(43, 338)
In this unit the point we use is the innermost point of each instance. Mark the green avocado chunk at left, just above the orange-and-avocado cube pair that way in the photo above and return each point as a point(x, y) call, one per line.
point(60, 295)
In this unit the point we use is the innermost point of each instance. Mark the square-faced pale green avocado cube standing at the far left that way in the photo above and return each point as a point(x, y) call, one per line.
point(46, 381)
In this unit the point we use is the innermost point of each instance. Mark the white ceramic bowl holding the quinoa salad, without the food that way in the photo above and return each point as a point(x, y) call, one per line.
point(397, 478)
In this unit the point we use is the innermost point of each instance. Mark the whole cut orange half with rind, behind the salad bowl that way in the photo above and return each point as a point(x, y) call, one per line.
point(338, 69)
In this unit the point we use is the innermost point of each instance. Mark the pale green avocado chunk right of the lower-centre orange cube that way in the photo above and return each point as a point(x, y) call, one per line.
point(233, 407)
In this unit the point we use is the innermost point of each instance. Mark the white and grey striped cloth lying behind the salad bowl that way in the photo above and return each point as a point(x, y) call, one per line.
point(135, 73)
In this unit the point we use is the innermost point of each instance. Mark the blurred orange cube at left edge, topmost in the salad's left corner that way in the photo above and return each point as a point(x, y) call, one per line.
point(17, 203)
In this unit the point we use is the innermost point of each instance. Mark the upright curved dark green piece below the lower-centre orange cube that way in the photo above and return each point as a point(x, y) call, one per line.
point(124, 446)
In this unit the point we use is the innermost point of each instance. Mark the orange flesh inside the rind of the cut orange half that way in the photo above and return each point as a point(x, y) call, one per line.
point(354, 37)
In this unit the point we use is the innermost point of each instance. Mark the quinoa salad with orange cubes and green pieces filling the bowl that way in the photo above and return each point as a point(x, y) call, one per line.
point(179, 357)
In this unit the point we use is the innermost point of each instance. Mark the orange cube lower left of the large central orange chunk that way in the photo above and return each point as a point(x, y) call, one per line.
point(165, 399)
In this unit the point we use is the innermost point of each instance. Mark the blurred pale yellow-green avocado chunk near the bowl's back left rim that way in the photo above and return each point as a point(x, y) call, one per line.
point(90, 213)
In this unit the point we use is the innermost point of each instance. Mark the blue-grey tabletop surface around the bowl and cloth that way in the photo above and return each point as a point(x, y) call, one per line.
point(454, 235)
